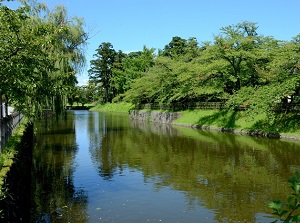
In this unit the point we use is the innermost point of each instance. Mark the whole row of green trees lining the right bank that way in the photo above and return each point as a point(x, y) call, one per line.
point(239, 67)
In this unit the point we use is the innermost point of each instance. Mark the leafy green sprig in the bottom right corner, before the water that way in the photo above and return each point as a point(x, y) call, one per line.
point(287, 212)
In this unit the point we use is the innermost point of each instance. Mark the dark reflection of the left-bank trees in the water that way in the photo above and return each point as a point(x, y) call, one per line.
point(55, 198)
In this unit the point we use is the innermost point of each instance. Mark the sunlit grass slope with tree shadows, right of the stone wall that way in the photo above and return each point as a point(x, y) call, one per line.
point(283, 126)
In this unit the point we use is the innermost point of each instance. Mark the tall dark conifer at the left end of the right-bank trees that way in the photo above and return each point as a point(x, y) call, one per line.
point(101, 70)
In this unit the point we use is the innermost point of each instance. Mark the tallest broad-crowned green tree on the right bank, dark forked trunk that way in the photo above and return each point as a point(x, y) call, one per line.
point(235, 56)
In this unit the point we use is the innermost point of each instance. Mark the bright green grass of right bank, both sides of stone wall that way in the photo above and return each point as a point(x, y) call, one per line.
point(239, 120)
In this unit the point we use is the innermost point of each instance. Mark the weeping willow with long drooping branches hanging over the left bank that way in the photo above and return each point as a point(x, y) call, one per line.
point(68, 52)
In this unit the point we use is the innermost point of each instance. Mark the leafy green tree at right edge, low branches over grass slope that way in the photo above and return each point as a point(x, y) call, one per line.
point(283, 81)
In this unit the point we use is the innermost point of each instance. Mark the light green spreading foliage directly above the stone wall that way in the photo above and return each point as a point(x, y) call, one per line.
point(170, 81)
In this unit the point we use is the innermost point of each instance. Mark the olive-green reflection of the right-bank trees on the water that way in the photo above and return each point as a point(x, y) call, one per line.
point(233, 175)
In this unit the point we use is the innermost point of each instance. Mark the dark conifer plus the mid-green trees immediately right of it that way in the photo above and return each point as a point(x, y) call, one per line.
point(113, 72)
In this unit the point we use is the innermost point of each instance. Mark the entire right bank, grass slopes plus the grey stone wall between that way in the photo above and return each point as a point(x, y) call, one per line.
point(284, 126)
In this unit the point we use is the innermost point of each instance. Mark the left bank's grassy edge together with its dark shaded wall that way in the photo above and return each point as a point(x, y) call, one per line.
point(15, 176)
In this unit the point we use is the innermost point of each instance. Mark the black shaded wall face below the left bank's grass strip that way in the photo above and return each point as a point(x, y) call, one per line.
point(16, 204)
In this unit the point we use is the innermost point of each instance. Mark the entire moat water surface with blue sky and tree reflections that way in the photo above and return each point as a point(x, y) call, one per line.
point(101, 167)
